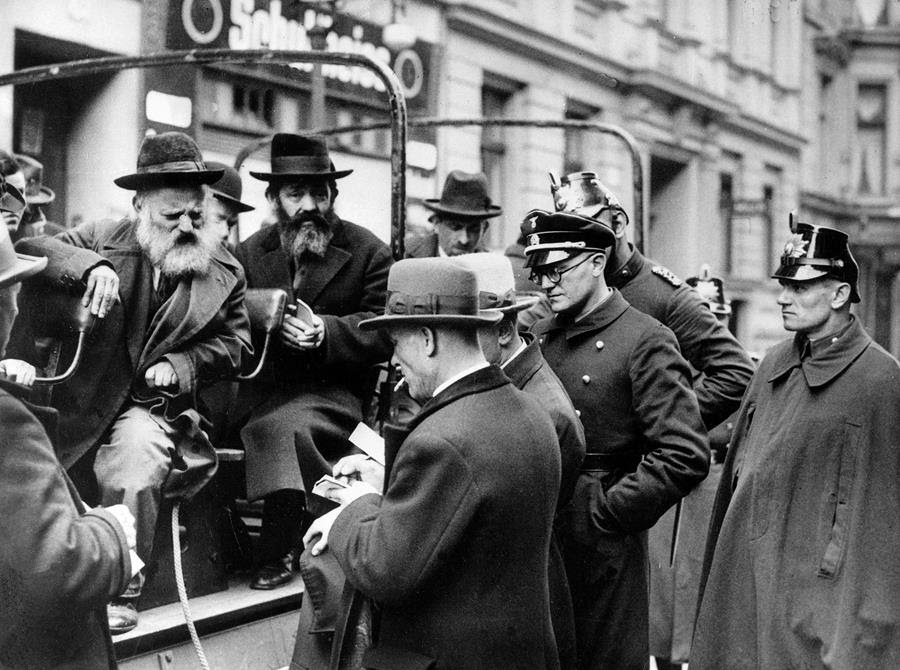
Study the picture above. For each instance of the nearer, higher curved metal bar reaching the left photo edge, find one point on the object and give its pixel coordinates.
(259, 56)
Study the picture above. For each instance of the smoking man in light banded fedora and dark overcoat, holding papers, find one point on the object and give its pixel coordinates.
(455, 550)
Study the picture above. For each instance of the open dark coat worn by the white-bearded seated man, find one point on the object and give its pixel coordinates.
(202, 330)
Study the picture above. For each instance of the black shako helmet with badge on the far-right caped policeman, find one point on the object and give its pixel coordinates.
(813, 252)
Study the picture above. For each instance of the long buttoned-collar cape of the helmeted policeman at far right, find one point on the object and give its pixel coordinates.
(801, 567)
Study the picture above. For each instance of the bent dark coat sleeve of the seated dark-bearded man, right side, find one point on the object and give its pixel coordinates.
(345, 344)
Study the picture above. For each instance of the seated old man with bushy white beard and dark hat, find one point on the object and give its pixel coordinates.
(172, 303)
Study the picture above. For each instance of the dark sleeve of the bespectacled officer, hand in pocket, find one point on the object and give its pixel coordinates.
(675, 445)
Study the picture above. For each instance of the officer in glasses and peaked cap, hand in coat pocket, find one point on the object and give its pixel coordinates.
(646, 444)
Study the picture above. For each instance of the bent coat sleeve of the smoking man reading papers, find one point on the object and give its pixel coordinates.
(390, 546)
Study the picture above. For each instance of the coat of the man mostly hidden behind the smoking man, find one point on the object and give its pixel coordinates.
(529, 372)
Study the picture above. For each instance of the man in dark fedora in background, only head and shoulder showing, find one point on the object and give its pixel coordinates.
(461, 217)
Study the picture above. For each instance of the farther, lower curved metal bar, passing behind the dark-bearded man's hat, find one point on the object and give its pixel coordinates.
(641, 231)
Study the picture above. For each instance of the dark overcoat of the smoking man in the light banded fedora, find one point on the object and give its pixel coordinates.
(455, 552)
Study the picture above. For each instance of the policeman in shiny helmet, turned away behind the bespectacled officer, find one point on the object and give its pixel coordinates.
(705, 342)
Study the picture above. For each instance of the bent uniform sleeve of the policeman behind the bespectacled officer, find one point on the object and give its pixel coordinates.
(711, 348)
